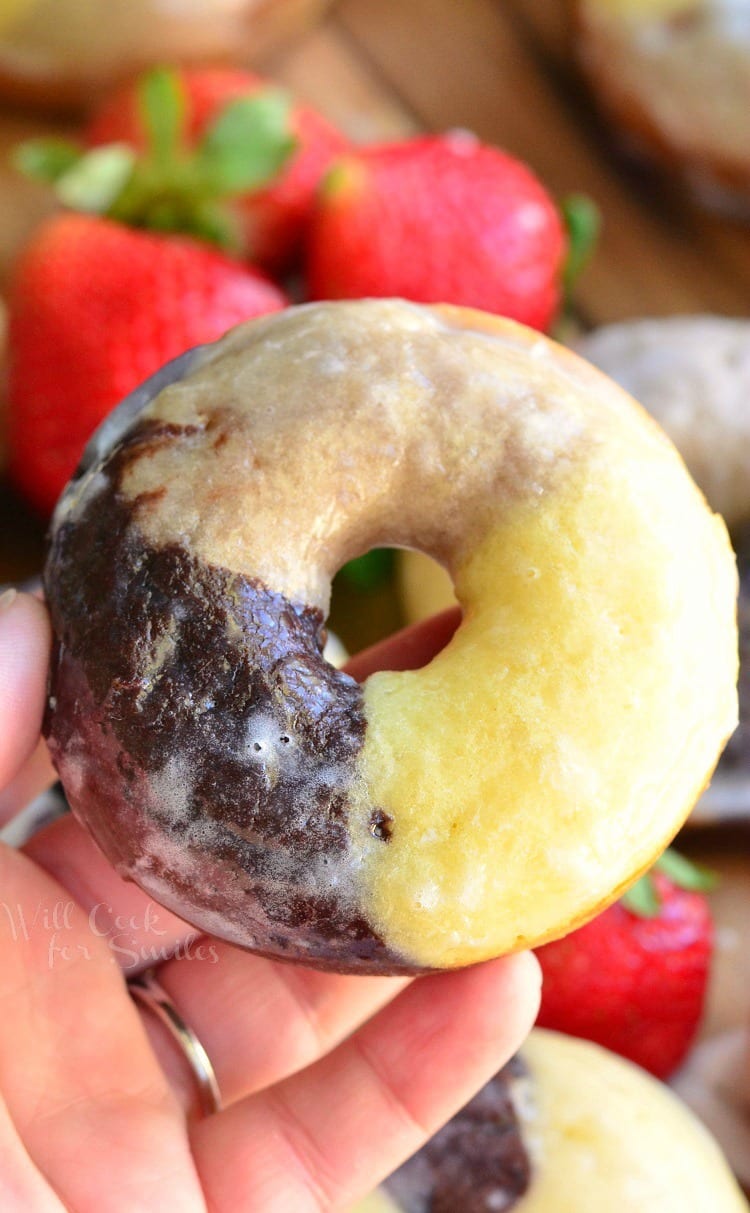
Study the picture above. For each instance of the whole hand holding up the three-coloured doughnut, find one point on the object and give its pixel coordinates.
(328, 1083)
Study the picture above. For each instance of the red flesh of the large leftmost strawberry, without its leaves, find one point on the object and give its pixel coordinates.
(95, 309)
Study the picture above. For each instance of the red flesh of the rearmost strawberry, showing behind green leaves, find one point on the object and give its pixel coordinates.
(274, 217)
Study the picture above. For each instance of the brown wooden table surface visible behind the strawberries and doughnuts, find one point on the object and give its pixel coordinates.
(384, 69)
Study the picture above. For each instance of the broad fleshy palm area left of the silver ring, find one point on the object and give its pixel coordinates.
(81, 1081)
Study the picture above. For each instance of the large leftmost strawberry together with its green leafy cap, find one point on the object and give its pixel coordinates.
(96, 306)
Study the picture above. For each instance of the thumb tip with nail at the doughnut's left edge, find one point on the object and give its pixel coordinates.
(25, 654)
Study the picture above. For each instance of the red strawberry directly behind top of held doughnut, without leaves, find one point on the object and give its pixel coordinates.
(440, 219)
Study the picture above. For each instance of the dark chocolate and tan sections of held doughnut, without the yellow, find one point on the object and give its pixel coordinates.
(198, 732)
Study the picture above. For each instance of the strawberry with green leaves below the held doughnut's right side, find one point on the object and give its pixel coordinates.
(634, 979)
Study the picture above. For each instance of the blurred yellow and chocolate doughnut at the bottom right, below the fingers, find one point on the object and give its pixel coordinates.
(567, 1127)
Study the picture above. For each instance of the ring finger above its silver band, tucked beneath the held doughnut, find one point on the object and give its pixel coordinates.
(260, 1021)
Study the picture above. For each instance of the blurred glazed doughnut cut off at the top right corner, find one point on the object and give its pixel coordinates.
(674, 76)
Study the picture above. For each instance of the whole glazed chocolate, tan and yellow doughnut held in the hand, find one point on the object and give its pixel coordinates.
(428, 819)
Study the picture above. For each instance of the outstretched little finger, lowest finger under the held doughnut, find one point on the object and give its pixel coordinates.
(331, 1134)
